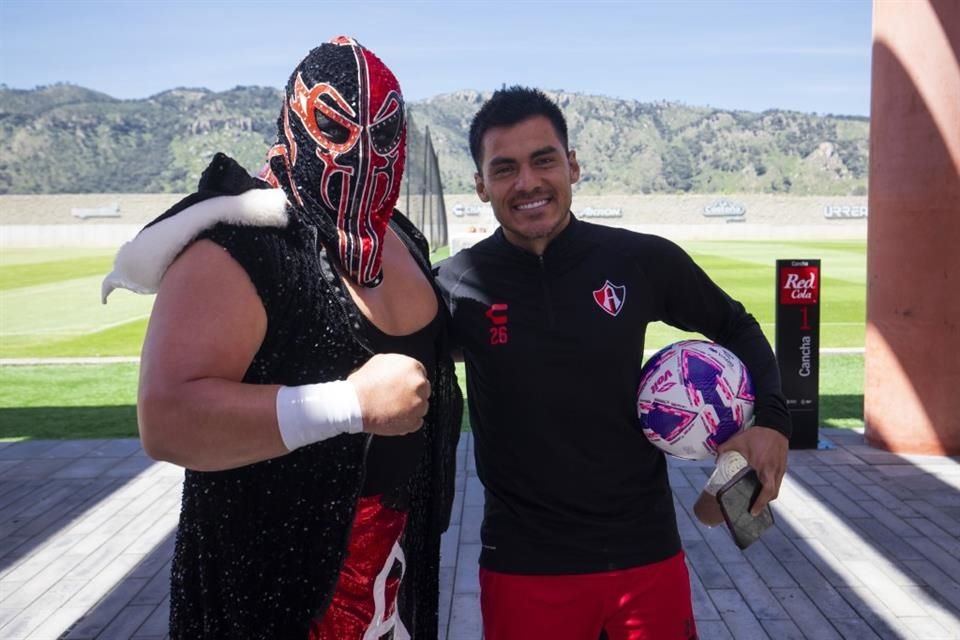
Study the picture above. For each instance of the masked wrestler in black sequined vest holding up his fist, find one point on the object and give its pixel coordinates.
(295, 364)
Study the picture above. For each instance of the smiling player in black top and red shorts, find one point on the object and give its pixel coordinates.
(579, 533)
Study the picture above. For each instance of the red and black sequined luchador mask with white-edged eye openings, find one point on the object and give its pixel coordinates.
(340, 149)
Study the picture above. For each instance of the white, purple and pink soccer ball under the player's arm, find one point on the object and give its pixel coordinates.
(693, 396)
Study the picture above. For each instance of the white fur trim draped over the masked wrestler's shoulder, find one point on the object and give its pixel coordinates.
(141, 262)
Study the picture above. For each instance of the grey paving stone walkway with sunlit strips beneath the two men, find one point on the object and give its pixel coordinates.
(866, 546)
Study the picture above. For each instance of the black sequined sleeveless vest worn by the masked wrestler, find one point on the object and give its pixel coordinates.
(259, 548)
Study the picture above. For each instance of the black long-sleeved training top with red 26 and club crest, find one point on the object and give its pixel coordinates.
(553, 347)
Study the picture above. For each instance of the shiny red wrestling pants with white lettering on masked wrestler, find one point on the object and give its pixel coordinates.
(364, 605)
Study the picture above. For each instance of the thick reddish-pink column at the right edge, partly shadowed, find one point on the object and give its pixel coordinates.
(912, 377)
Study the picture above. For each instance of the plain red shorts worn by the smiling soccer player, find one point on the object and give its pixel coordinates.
(651, 602)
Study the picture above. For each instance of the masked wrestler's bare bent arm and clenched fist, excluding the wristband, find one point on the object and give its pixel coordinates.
(206, 326)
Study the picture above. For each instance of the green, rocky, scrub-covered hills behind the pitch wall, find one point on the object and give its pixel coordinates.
(68, 139)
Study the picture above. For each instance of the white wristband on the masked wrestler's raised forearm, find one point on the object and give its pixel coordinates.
(313, 412)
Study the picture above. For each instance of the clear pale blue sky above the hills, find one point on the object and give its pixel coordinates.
(806, 55)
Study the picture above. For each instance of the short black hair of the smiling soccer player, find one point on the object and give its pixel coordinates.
(509, 106)
